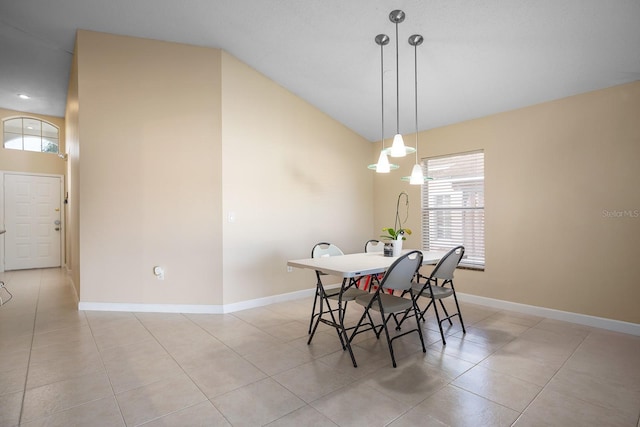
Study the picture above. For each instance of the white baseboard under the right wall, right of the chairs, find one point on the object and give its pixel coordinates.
(581, 319)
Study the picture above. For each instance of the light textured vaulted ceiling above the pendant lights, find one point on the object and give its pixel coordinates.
(478, 57)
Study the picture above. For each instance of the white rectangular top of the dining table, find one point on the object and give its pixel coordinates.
(356, 265)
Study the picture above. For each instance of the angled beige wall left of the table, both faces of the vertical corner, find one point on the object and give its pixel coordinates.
(173, 138)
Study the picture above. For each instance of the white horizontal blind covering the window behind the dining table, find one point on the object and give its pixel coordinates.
(453, 205)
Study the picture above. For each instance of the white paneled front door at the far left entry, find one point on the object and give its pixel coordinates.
(32, 220)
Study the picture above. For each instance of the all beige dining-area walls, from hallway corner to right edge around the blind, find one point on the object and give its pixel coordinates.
(175, 138)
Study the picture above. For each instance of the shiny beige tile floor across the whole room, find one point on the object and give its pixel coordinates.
(61, 367)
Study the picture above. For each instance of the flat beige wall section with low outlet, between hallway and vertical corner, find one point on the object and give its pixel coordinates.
(149, 171)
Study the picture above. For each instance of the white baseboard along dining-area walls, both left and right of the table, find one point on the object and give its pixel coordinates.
(581, 319)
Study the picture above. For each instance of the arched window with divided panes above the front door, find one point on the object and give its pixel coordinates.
(29, 134)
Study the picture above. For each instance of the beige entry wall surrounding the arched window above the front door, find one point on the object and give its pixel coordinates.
(32, 162)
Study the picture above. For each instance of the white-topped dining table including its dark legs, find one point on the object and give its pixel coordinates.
(352, 267)
